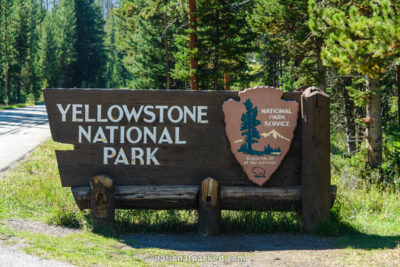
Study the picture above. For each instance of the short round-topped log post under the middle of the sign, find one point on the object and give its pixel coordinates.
(209, 208)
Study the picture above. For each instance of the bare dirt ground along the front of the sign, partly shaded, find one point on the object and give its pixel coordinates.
(251, 250)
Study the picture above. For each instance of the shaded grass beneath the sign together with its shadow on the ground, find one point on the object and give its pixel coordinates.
(242, 231)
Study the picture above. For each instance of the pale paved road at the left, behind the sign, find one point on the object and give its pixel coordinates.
(21, 131)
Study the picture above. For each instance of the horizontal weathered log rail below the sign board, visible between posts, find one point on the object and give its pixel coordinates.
(186, 197)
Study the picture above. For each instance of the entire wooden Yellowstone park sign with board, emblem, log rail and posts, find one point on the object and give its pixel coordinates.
(260, 149)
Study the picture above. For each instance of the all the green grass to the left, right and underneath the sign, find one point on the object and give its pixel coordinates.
(365, 218)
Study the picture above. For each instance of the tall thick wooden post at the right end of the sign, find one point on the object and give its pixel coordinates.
(315, 168)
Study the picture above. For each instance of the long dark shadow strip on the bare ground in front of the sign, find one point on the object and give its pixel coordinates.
(247, 242)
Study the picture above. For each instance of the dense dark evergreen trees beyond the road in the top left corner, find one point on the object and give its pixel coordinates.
(50, 44)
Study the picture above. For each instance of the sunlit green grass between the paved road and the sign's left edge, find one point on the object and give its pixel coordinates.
(33, 190)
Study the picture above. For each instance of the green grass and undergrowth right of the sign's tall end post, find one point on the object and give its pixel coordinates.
(366, 216)
